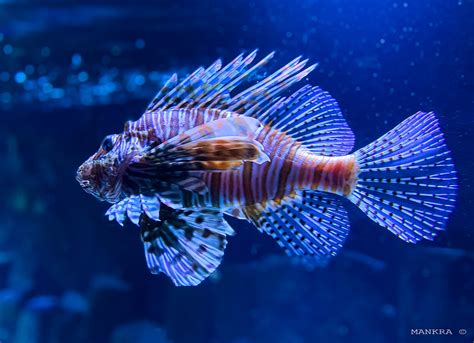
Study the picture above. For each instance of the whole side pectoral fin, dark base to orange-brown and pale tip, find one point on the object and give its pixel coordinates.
(221, 145)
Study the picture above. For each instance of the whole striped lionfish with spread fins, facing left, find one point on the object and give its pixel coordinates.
(202, 149)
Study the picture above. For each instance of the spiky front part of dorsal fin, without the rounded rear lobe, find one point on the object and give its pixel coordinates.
(212, 87)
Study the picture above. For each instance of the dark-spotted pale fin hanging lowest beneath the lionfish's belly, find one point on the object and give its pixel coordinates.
(186, 245)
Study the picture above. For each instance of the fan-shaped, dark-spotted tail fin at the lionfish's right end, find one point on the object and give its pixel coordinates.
(406, 181)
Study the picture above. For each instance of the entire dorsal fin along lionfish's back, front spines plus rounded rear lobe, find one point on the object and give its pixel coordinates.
(310, 116)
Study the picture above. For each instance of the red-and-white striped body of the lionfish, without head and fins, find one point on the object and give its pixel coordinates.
(292, 167)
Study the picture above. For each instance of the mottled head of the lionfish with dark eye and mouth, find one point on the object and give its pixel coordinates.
(101, 174)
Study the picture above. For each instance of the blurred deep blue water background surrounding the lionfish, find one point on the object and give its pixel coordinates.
(72, 72)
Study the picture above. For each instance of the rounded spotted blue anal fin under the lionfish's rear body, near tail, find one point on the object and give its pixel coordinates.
(309, 223)
